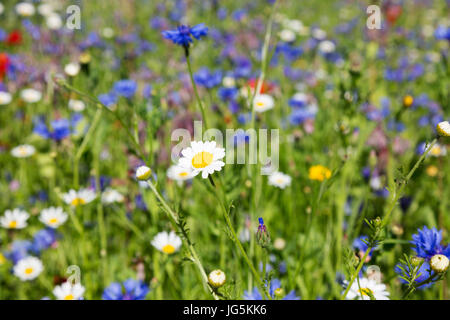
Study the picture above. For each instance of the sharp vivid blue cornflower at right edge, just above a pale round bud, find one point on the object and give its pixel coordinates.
(427, 243)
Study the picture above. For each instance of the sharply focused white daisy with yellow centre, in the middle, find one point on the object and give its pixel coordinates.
(202, 157)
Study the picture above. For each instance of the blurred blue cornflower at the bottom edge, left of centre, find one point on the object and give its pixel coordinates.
(129, 290)
